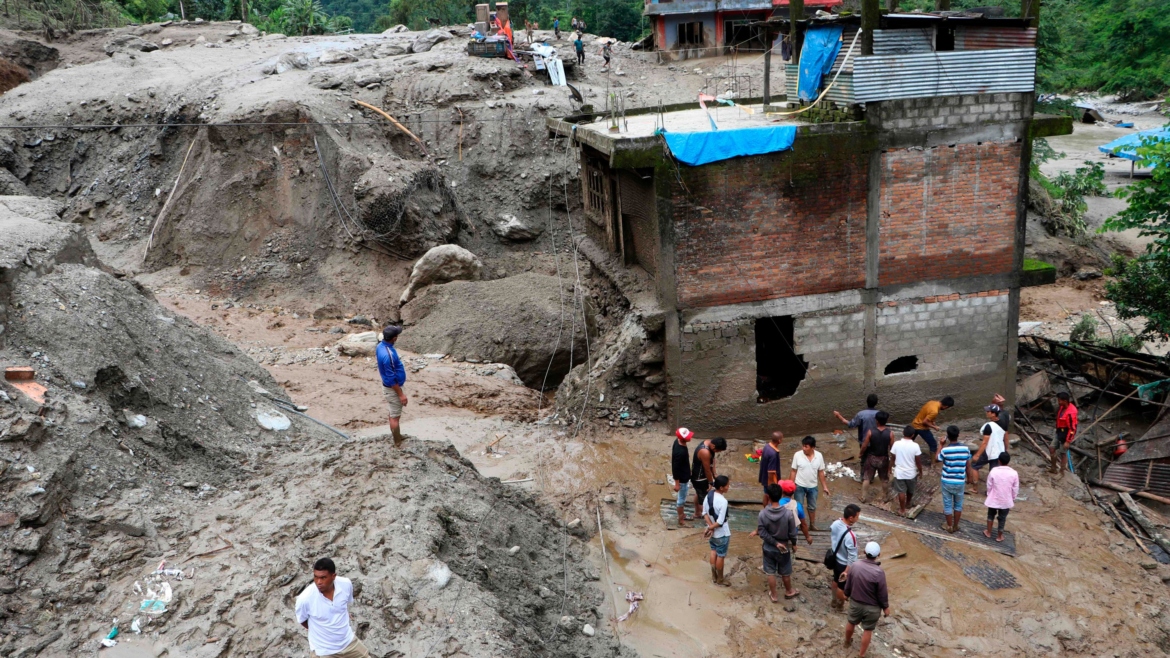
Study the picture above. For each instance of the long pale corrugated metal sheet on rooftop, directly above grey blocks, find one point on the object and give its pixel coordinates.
(884, 78)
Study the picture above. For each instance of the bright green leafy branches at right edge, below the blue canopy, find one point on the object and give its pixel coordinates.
(1141, 287)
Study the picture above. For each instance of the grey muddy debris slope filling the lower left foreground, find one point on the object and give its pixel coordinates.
(144, 442)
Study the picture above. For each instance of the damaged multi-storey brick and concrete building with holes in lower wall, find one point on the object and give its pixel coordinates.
(880, 253)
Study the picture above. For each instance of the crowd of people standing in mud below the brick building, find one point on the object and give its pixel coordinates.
(790, 505)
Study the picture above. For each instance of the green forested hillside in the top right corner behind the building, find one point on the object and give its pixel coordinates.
(1113, 46)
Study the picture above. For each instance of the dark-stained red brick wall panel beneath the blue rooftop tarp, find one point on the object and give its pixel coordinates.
(770, 227)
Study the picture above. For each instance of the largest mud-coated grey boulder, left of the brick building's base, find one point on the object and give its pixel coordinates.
(529, 323)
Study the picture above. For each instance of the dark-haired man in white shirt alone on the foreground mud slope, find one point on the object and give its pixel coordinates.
(325, 609)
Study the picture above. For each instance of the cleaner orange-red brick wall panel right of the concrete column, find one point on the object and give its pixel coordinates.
(948, 213)
